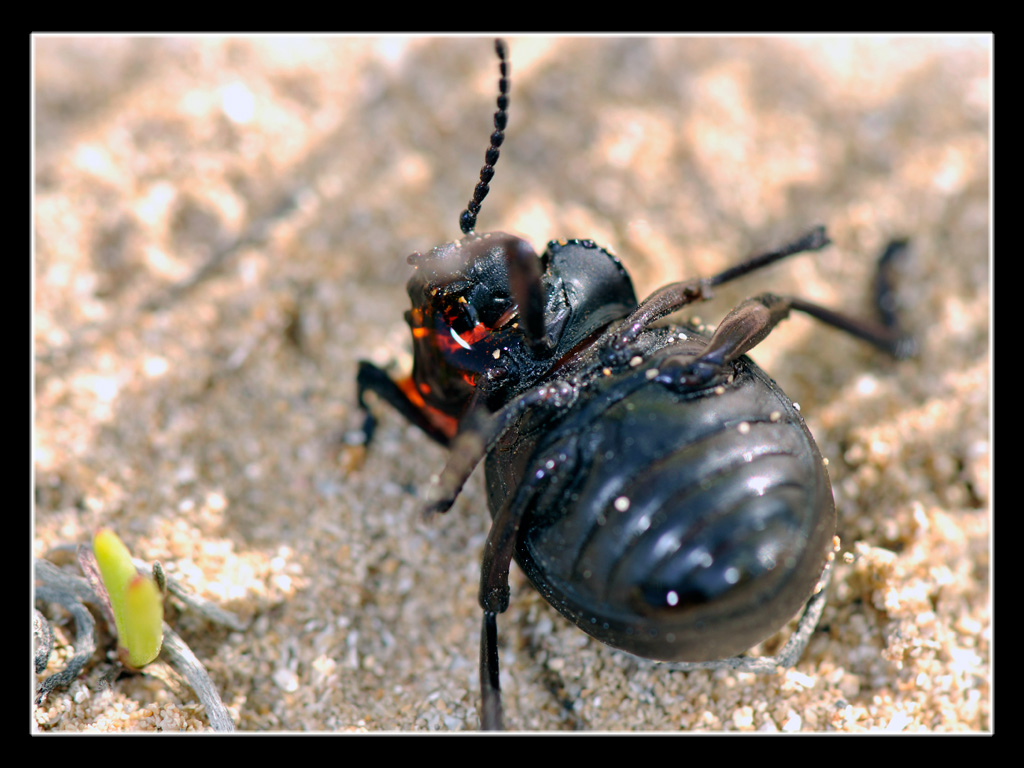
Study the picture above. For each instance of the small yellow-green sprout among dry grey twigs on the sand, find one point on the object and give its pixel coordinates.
(136, 601)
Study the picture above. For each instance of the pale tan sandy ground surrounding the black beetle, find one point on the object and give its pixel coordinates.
(221, 233)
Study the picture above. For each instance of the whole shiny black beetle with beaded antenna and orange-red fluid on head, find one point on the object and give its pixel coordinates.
(655, 485)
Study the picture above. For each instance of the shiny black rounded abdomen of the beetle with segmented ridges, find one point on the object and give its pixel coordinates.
(696, 542)
